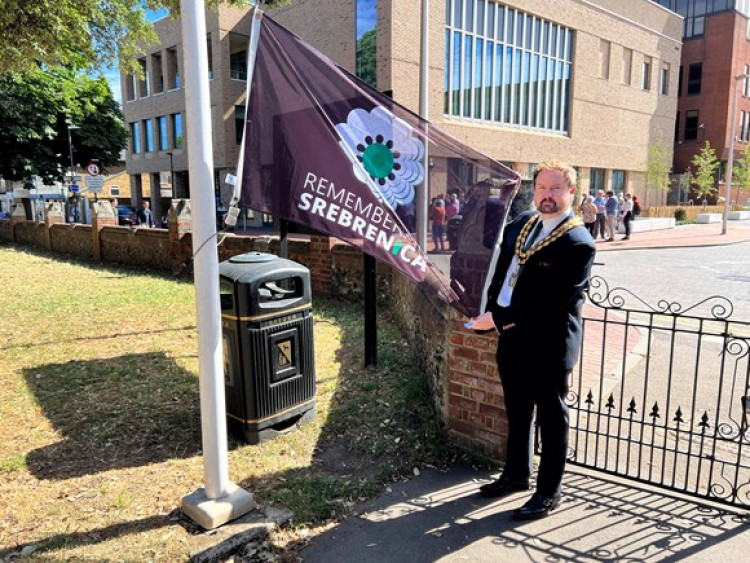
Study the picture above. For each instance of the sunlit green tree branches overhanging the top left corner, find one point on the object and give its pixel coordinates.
(80, 33)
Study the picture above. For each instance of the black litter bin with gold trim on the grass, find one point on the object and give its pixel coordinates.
(267, 329)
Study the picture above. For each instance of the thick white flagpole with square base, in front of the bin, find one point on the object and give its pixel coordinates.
(219, 501)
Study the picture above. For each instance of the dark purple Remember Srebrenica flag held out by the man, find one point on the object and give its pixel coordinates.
(325, 150)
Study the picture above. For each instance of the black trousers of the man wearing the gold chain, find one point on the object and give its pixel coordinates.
(526, 387)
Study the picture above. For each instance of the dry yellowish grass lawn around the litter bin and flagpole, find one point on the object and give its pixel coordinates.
(100, 433)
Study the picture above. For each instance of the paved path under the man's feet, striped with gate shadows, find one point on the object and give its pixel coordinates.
(439, 517)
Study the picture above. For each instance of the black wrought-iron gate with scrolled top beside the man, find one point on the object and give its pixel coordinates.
(661, 394)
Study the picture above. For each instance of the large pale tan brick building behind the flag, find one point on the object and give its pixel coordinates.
(522, 80)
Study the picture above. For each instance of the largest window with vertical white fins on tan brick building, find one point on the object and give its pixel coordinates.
(507, 77)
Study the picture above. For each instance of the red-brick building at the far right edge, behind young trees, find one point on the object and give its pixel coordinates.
(716, 49)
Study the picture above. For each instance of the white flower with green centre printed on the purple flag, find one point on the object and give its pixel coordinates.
(384, 154)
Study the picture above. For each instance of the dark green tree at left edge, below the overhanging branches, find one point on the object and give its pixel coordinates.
(35, 110)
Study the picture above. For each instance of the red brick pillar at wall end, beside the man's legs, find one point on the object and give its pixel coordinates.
(476, 411)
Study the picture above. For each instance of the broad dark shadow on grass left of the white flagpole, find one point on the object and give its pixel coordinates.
(115, 413)
